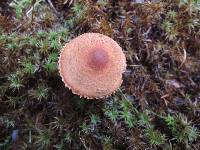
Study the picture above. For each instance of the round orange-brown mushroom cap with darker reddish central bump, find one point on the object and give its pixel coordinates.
(91, 65)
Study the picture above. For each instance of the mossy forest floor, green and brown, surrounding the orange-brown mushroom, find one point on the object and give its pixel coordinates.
(158, 105)
